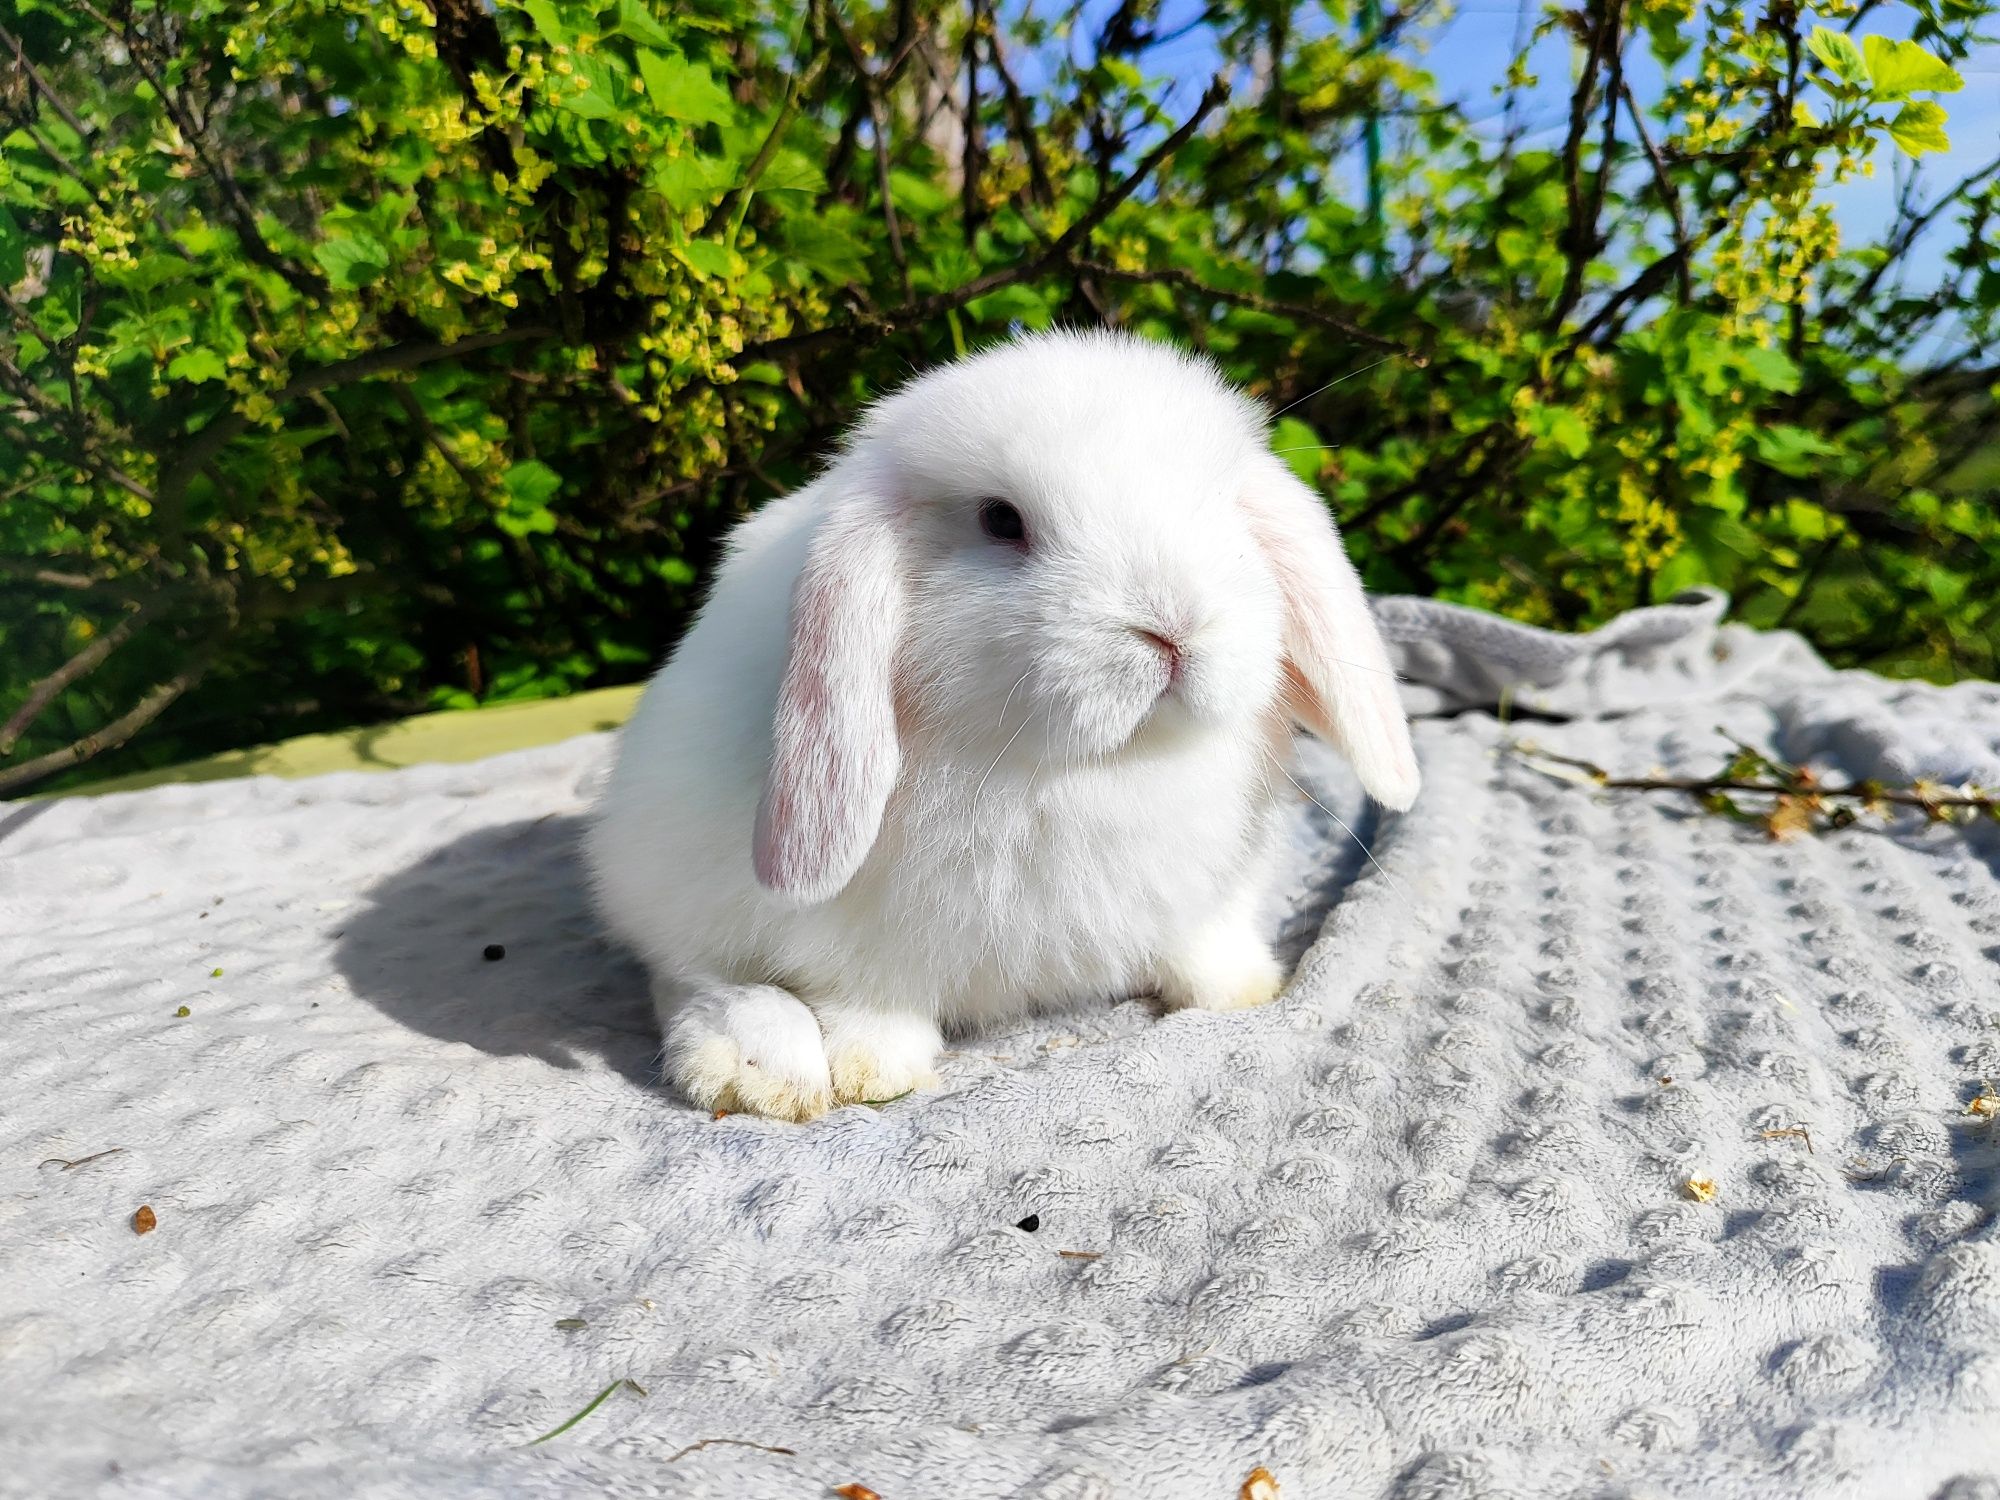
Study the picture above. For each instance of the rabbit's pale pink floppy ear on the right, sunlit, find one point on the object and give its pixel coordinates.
(1339, 681)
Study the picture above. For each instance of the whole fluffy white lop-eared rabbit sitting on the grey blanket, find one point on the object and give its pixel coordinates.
(989, 717)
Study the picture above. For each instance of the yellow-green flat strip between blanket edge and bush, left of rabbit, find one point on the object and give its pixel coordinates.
(453, 737)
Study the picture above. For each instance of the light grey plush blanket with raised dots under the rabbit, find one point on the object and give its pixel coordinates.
(1421, 1229)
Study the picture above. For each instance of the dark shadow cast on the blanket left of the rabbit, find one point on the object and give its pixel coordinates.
(561, 993)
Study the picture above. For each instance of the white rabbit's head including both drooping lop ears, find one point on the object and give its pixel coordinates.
(1069, 551)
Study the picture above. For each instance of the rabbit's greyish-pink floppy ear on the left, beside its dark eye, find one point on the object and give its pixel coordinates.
(835, 753)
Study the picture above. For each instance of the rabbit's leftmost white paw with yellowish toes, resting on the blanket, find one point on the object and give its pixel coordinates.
(749, 1049)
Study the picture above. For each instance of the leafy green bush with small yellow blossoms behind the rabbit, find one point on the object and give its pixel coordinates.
(375, 357)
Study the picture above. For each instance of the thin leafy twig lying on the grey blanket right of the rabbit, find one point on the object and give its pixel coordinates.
(1799, 801)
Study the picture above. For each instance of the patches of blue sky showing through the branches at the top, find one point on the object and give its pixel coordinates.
(1471, 53)
